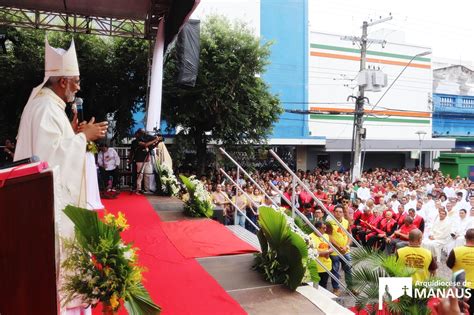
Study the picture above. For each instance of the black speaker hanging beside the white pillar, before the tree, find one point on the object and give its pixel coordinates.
(188, 49)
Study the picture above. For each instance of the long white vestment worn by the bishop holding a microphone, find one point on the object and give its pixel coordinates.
(45, 131)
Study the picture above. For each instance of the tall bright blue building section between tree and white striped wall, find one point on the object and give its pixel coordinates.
(285, 23)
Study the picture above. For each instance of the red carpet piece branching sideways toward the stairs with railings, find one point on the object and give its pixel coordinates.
(204, 238)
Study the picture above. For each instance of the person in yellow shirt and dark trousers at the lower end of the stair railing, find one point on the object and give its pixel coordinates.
(341, 242)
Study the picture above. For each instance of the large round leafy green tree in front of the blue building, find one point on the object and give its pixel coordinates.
(229, 101)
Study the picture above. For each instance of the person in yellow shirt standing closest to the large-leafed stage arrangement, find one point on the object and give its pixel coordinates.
(324, 250)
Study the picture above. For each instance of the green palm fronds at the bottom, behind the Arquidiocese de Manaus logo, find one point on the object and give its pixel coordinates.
(368, 266)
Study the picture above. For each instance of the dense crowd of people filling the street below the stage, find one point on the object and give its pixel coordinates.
(387, 210)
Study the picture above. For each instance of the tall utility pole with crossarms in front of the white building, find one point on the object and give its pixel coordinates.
(358, 132)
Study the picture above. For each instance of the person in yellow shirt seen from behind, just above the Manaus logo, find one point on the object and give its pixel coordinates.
(417, 257)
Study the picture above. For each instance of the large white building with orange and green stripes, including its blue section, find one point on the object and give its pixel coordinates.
(317, 72)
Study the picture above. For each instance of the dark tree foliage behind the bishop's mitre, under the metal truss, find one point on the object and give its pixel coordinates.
(113, 75)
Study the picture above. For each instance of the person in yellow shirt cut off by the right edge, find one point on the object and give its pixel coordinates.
(462, 257)
